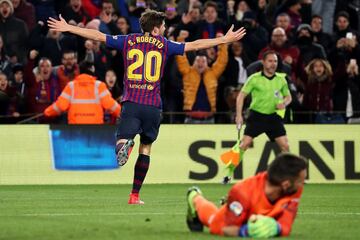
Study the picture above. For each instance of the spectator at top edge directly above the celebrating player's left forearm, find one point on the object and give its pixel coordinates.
(75, 13)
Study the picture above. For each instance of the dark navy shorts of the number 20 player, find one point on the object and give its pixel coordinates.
(139, 119)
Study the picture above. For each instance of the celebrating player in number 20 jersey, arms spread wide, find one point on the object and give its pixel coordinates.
(145, 55)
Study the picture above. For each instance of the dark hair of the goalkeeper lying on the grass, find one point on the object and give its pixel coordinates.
(286, 166)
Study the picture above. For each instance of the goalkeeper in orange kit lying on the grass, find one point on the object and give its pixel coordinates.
(262, 206)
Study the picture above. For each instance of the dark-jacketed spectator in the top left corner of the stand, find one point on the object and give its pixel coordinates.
(14, 32)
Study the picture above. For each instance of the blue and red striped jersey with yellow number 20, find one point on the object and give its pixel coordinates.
(144, 61)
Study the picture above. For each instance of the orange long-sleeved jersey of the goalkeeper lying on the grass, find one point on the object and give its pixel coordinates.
(248, 197)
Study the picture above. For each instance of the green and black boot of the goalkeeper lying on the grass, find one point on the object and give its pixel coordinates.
(192, 219)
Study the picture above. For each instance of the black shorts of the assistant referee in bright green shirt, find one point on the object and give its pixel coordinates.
(258, 123)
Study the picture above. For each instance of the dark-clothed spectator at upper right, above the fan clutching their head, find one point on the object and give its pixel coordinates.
(321, 37)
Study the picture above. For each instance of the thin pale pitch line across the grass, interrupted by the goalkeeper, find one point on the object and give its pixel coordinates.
(155, 213)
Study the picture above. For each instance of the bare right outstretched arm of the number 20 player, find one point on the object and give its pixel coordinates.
(231, 36)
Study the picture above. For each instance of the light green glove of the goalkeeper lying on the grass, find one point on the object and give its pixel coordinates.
(260, 226)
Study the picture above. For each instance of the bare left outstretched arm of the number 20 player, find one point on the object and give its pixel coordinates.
(62, 26)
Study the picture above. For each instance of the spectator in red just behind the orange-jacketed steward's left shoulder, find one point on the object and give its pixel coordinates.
(69, 68)
